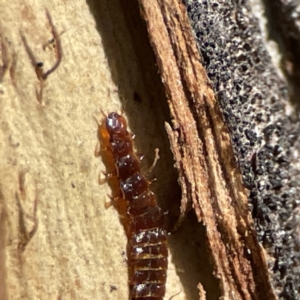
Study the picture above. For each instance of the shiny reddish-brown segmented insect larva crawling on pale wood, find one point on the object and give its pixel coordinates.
(142, 218)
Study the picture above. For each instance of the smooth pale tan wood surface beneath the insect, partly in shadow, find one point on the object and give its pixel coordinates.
(47, 151)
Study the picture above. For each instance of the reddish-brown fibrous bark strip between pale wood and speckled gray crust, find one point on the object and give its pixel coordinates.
(204, 157)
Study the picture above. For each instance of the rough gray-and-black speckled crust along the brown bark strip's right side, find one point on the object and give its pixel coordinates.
(253, 100)
